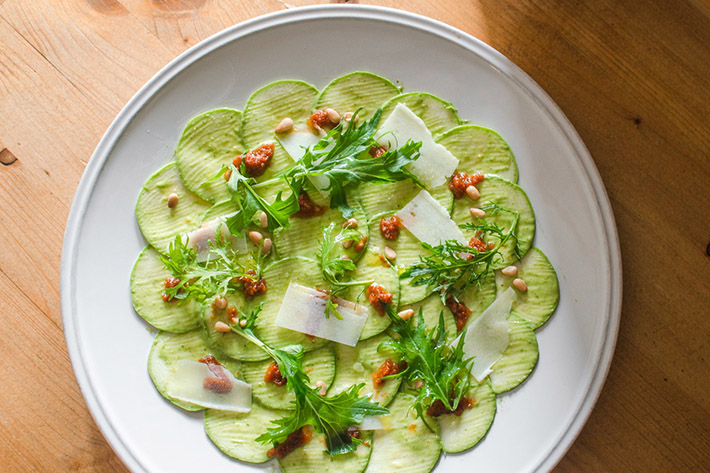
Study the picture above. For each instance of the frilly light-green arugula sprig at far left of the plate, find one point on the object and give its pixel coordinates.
(203, 280)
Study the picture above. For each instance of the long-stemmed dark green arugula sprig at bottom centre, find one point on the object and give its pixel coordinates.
(330, 416)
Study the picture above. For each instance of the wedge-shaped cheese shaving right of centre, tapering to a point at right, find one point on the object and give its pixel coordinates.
(429, 221)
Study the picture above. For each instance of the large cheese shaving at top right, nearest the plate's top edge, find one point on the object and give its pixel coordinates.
(435, 163)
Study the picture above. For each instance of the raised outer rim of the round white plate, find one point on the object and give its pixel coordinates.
(604, 351)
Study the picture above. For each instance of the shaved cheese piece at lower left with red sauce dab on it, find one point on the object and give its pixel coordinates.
(187, 383)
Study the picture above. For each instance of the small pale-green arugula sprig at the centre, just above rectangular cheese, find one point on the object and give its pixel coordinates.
(335, 269)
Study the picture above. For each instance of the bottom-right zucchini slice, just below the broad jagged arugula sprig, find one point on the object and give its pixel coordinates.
(459, 433)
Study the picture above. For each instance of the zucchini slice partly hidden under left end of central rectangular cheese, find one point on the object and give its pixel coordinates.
(278, 275)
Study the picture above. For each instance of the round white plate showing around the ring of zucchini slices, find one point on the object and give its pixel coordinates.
(109, 344)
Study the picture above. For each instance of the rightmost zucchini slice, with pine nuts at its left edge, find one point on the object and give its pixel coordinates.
(537, 304)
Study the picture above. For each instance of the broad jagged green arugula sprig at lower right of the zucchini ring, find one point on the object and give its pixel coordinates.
(431, 360)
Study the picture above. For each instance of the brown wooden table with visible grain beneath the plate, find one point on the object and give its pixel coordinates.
(633, 77)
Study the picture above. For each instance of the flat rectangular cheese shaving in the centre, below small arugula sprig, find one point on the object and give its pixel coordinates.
(303, 310)
